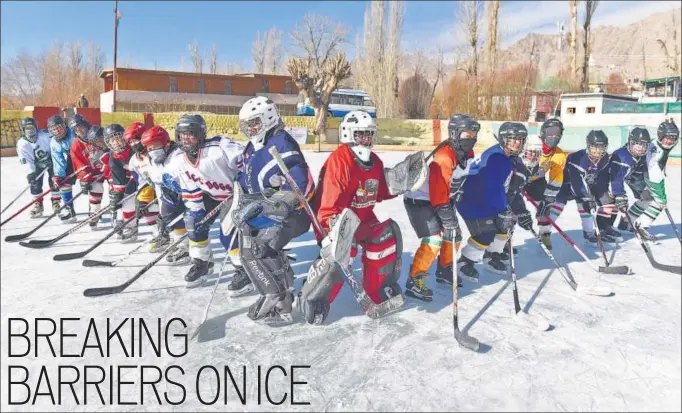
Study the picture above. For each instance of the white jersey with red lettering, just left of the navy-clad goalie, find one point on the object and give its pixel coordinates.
(213, 174)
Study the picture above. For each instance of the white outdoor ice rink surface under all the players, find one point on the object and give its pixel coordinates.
(617, 353)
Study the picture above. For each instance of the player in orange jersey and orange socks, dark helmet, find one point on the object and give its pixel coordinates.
(431, 213)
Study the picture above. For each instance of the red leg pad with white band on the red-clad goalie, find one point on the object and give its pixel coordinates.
(381, 259)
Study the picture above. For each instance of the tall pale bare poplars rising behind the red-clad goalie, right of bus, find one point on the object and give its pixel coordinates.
(379, 55)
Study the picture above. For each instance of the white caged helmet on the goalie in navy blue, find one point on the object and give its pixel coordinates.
(257, 117)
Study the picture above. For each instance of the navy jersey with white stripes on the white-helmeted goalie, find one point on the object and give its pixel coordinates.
(261, 170)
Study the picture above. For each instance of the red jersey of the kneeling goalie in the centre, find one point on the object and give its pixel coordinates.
(345, 183)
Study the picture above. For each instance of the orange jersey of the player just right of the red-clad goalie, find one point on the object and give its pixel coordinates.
(436, 188)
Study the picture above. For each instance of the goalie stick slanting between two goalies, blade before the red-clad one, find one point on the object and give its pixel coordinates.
(368, 306)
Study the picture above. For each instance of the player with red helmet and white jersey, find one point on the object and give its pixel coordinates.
(150, 167)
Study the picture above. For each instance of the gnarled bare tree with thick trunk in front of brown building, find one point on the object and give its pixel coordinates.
(321, 66)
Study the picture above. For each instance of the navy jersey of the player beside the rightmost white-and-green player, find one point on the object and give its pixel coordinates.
(625, 168)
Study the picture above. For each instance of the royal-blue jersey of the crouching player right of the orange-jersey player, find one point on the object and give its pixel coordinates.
(484, 193)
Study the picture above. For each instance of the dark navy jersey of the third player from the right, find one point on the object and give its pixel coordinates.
(579, 166)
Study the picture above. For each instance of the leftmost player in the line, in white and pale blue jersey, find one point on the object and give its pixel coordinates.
(33, 149)
